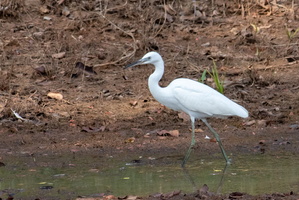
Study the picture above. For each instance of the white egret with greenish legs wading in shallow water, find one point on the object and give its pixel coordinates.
(198, 100)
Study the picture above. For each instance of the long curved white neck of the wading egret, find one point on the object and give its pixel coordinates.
(153, 80)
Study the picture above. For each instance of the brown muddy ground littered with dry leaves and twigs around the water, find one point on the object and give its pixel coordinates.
(110, 110)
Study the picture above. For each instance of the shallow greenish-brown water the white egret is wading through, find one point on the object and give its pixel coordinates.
(258, 174)
